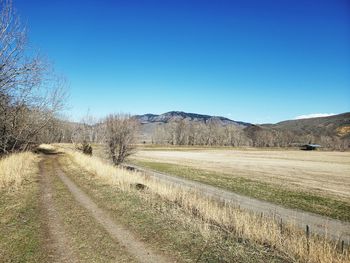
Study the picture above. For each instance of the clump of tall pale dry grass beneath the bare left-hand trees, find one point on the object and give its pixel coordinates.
(15, 169)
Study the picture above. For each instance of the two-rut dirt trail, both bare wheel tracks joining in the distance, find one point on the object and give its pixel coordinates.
(58, 238)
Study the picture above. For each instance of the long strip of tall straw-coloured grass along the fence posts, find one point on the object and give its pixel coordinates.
(241, 224)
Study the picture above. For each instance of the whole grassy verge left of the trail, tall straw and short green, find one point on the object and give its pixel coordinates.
(20, 235)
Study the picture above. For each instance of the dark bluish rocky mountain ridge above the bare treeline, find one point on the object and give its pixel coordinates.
(180, 115)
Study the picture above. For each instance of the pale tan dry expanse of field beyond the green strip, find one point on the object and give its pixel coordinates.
(322, 172)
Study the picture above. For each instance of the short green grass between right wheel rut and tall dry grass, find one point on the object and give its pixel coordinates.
(165, 226)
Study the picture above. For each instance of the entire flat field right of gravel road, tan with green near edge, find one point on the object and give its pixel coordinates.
(318, 182)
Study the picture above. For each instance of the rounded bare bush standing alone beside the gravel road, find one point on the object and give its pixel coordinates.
(121, 131)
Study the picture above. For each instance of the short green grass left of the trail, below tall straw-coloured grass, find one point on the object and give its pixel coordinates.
(20, 228)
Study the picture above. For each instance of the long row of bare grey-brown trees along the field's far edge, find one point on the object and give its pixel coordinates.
(213, 133)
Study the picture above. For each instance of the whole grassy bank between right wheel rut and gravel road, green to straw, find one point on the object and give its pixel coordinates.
(207, 219)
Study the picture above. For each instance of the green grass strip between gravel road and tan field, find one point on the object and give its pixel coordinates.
(306, 201)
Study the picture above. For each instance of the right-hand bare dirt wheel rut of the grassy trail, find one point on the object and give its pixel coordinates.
(118, 232)
